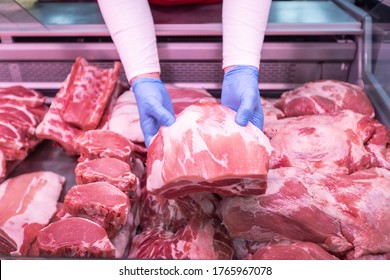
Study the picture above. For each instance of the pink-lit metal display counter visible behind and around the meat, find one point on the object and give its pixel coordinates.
(304, 41)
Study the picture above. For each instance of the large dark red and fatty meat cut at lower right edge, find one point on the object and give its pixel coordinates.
(345, 214)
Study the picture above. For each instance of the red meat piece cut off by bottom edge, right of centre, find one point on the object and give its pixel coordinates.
(291, 251)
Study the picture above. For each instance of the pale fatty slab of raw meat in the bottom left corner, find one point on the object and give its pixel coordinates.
(27, 203)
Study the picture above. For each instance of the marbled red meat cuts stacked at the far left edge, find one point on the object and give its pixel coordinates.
(21, 110)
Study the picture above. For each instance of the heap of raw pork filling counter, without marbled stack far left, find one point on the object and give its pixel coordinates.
(314, 185)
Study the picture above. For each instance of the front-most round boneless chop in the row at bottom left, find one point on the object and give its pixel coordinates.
(74, 237)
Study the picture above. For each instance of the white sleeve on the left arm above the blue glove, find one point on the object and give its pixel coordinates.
(131, 27)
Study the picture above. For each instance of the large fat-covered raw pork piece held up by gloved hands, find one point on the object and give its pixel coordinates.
(206, 150)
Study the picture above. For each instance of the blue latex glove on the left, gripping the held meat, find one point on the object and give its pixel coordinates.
(154, 106)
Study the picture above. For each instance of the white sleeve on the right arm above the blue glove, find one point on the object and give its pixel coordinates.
(244, 23)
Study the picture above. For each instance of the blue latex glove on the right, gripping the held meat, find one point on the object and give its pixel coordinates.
(240, 92)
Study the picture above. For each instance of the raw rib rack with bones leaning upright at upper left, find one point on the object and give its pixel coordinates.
(55, 127)
